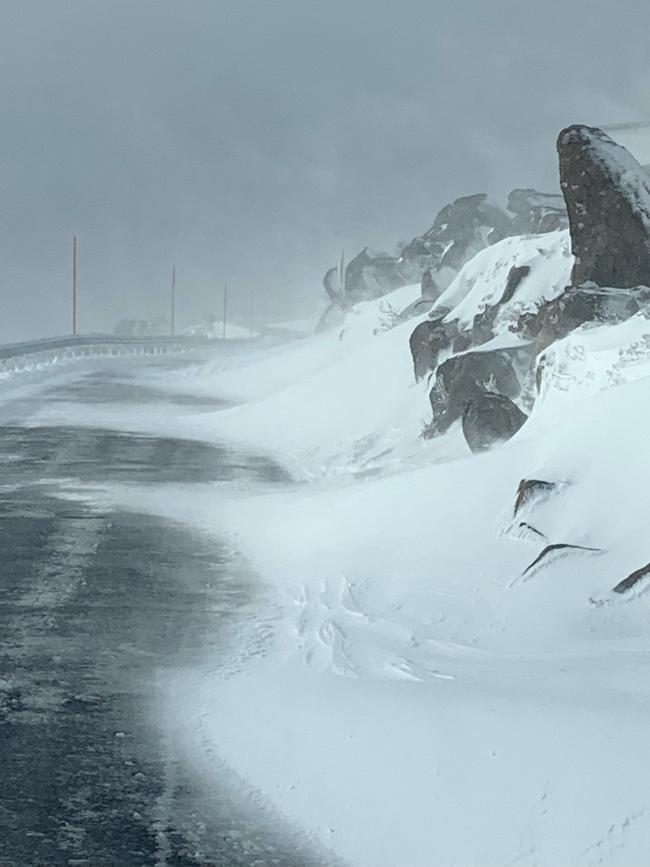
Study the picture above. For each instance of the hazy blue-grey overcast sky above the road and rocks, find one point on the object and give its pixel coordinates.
(249, 141)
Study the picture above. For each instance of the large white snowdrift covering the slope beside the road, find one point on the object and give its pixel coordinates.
(425, 698)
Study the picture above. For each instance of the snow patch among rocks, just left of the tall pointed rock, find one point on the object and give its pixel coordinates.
(482, 281)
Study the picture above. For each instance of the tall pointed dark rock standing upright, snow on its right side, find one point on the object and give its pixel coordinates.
(607, 194)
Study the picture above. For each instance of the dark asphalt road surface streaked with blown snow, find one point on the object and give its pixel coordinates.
(97, 607)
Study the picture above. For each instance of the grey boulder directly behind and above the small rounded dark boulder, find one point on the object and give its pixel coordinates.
(464, 377)
